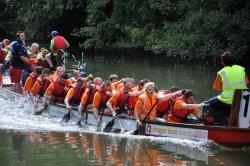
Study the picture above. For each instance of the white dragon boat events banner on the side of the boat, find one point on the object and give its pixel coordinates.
(179, 132)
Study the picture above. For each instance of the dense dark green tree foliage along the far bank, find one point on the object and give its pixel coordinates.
(173, 27)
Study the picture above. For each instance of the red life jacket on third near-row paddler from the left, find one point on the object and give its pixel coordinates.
(59, 91)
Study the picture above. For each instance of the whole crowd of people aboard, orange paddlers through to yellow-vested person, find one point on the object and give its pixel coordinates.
(40, 73)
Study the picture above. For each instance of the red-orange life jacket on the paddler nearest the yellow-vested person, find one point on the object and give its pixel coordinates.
(178, 115)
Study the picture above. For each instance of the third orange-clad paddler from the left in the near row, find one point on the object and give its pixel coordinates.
(56, 91)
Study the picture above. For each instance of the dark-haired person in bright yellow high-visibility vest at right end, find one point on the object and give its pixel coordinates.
(228, 79)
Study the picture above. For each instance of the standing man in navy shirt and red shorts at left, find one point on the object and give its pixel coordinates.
(19, 61)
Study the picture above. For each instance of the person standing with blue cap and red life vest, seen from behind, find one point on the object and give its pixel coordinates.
(58, 45)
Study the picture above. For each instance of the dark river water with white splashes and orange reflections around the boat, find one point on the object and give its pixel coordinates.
(26, 139)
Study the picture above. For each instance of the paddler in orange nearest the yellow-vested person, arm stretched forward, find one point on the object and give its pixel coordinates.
(183, 107)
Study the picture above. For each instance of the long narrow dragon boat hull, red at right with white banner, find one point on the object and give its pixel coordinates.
(227, 136)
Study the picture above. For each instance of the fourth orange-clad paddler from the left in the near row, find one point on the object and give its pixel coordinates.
(75, 93)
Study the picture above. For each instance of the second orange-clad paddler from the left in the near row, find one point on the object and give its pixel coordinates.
(41, 84)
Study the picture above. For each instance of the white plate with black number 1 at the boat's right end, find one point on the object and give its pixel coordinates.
(244, 112)
